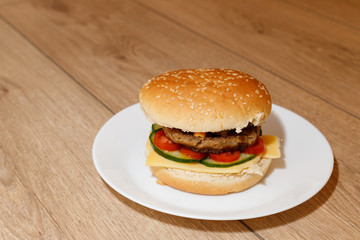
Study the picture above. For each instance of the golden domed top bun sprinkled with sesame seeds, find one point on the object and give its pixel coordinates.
(205, 100)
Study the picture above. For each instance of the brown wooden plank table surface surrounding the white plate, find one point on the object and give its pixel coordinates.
(67, 66)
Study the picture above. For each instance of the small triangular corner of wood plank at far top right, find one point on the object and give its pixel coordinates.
(344, 11)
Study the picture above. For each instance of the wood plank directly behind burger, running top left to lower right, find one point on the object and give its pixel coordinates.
(145, 46)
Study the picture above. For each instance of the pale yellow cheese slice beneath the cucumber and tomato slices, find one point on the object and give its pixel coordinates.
(271, 151)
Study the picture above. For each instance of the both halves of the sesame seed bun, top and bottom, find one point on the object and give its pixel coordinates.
(207, 100)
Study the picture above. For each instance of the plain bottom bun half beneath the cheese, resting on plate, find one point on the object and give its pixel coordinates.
(209, 183)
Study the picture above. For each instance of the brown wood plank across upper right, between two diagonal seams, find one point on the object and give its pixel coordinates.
(313, 52)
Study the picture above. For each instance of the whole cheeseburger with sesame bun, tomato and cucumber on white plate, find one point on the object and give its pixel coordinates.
(206, 135)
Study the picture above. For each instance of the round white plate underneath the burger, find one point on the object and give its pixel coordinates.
(305, 167)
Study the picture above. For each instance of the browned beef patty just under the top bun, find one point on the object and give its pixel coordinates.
(216, 142)
